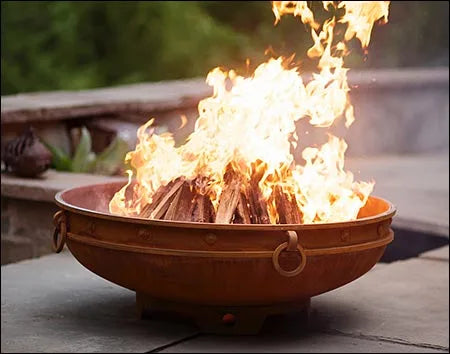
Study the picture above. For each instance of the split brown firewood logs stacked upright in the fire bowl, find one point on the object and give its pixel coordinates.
(240, 202)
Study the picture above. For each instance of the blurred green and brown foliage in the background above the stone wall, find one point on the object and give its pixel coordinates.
(76, 45)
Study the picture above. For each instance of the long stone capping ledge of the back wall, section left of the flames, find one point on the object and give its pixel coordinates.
(137, 98)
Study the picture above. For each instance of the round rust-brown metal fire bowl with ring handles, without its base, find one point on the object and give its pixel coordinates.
(218, 265)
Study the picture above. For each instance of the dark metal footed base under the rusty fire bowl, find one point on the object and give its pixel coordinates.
(228, 320)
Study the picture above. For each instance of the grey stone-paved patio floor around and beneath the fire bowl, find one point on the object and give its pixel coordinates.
(53, 304)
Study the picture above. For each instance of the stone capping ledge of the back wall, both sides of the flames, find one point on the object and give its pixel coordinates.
(169, 95)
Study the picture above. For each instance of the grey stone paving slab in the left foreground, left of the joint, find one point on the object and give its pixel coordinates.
(53, 304)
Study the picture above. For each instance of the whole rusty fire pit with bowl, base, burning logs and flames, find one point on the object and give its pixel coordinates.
(229, 227)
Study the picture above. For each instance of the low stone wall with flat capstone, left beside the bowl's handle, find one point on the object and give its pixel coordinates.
(27, 209)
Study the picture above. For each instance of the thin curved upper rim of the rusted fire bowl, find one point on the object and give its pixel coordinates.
(59, 200)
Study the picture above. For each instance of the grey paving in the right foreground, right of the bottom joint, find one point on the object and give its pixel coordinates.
(397, 307)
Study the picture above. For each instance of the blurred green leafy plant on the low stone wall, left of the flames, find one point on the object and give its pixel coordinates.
(108, 162)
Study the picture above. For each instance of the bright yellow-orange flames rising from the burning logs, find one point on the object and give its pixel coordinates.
(250, 129)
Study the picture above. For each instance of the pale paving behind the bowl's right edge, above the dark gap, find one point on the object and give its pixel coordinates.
(418, 185)
